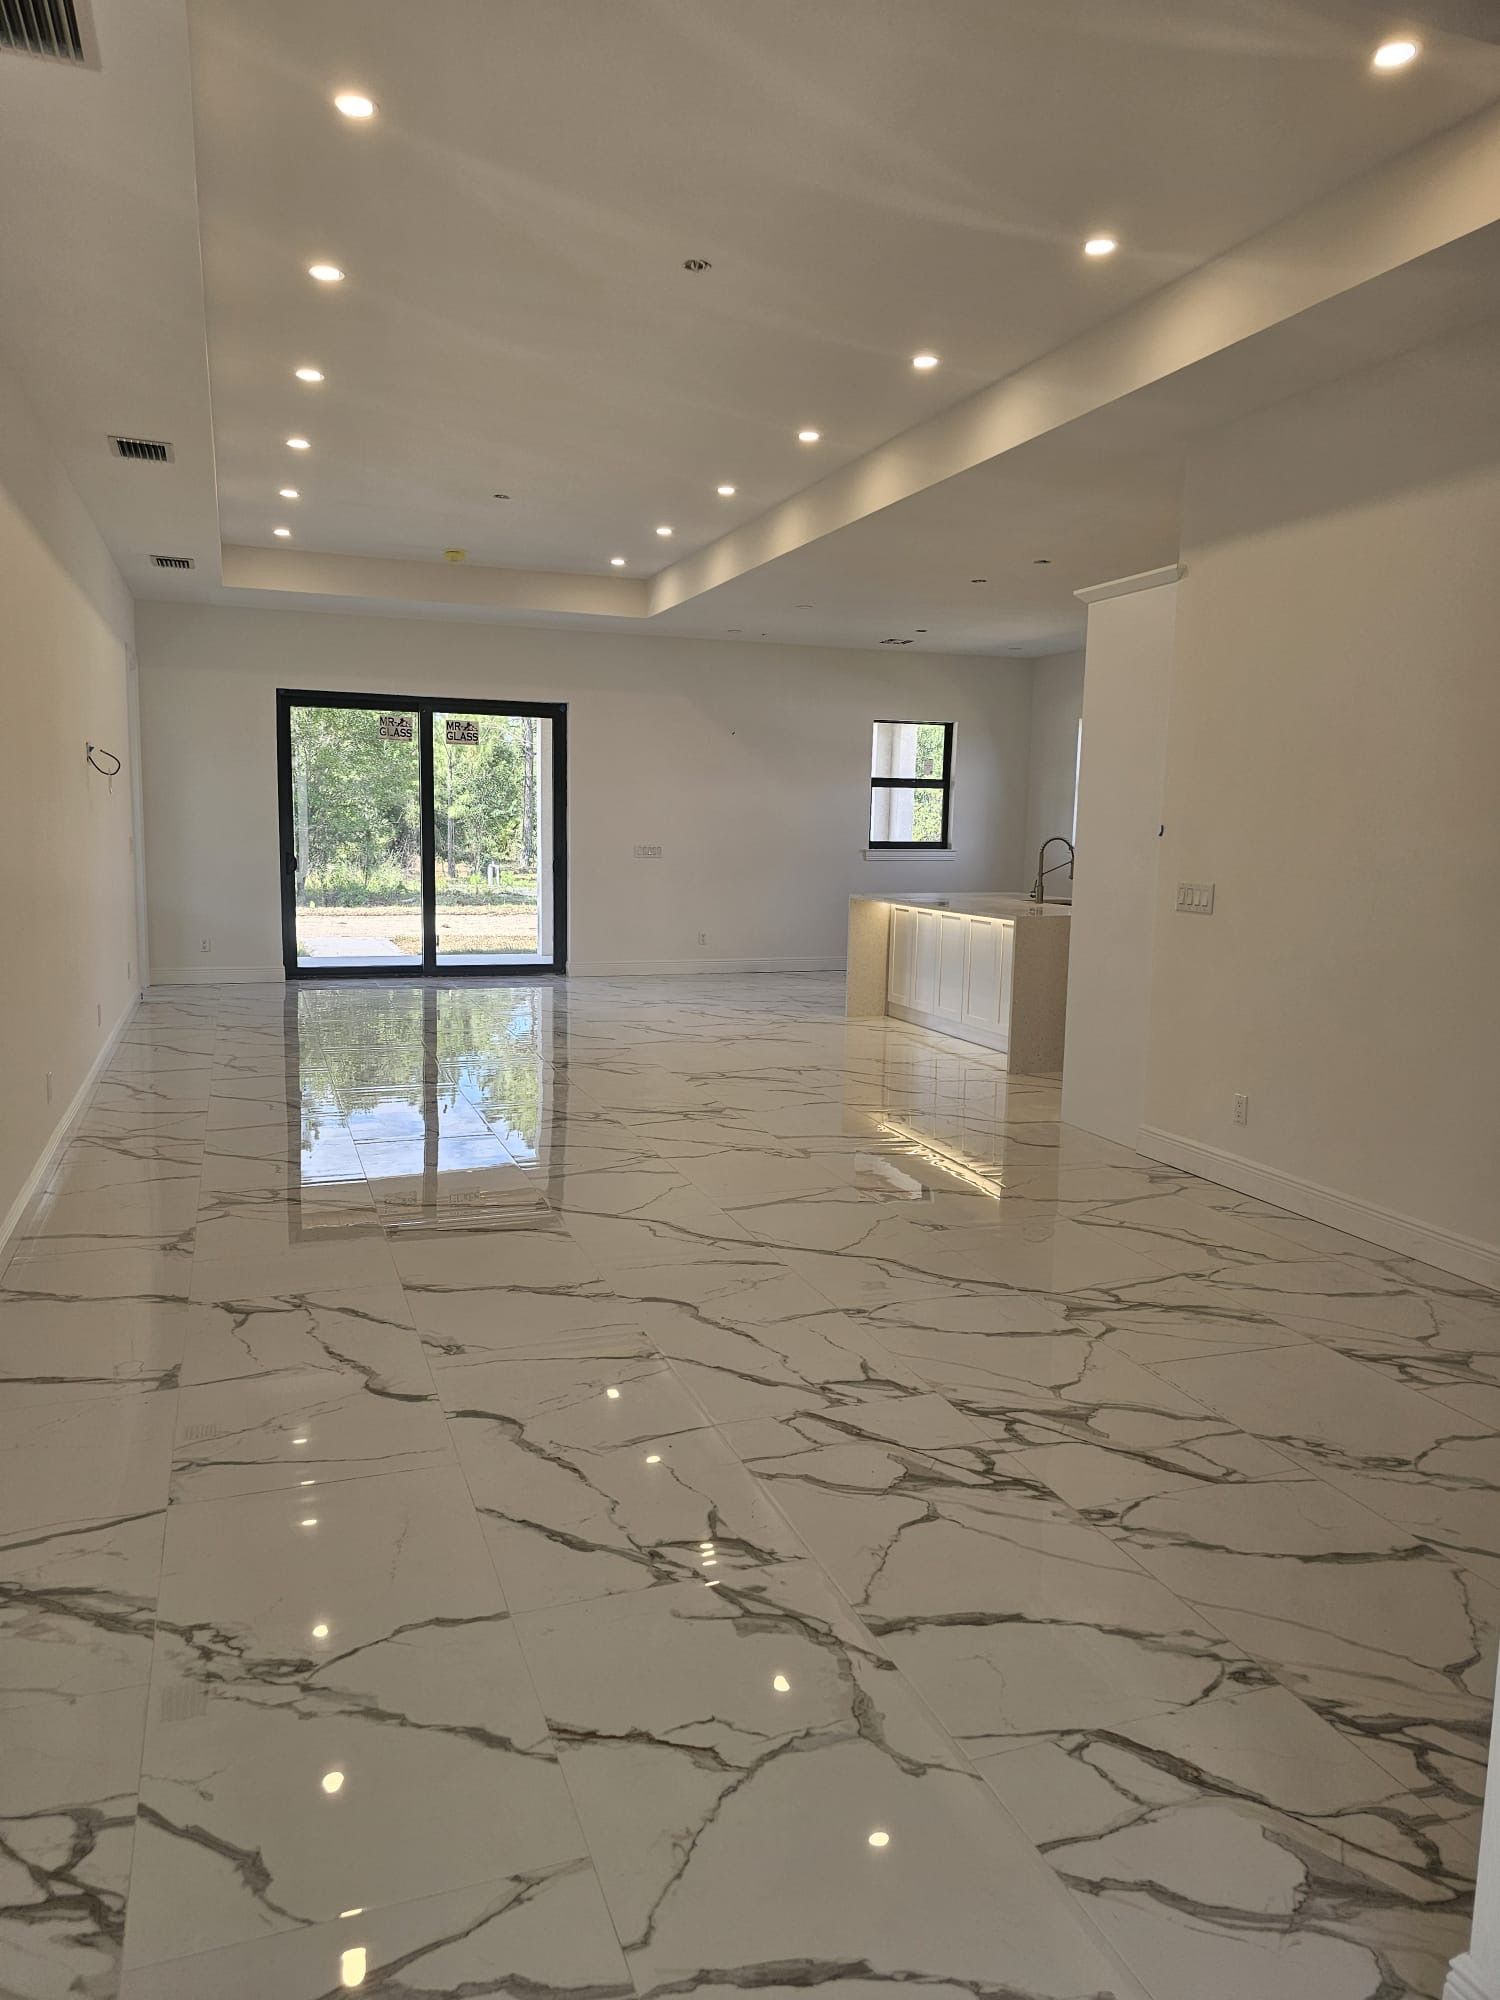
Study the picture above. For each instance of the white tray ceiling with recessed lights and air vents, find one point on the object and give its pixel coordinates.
(867, 179)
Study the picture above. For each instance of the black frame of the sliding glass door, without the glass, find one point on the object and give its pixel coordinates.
(425, 707)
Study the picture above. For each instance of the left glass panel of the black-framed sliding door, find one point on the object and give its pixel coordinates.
(357, 837)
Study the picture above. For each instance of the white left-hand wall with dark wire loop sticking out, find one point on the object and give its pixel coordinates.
(67, 865)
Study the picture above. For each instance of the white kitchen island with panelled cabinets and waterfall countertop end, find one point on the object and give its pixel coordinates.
(983, 969)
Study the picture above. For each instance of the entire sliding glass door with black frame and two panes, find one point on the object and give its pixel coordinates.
(421, 835)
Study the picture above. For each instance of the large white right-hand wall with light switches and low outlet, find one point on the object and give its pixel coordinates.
(1333, 769)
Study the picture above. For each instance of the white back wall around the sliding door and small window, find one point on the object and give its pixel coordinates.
(749, 765)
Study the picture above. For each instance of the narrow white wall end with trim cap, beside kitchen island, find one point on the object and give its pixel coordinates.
(1127, 685)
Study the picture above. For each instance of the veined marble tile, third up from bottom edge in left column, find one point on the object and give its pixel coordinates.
(301, 1391)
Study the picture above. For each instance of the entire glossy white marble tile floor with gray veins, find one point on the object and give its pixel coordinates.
(645, 1487)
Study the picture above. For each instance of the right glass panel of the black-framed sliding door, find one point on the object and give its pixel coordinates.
(491, 837)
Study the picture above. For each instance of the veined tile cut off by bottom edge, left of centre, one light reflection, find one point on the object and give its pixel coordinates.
(539, 1933)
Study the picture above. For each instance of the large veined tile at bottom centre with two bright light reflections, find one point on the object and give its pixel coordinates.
(771, 1809)
